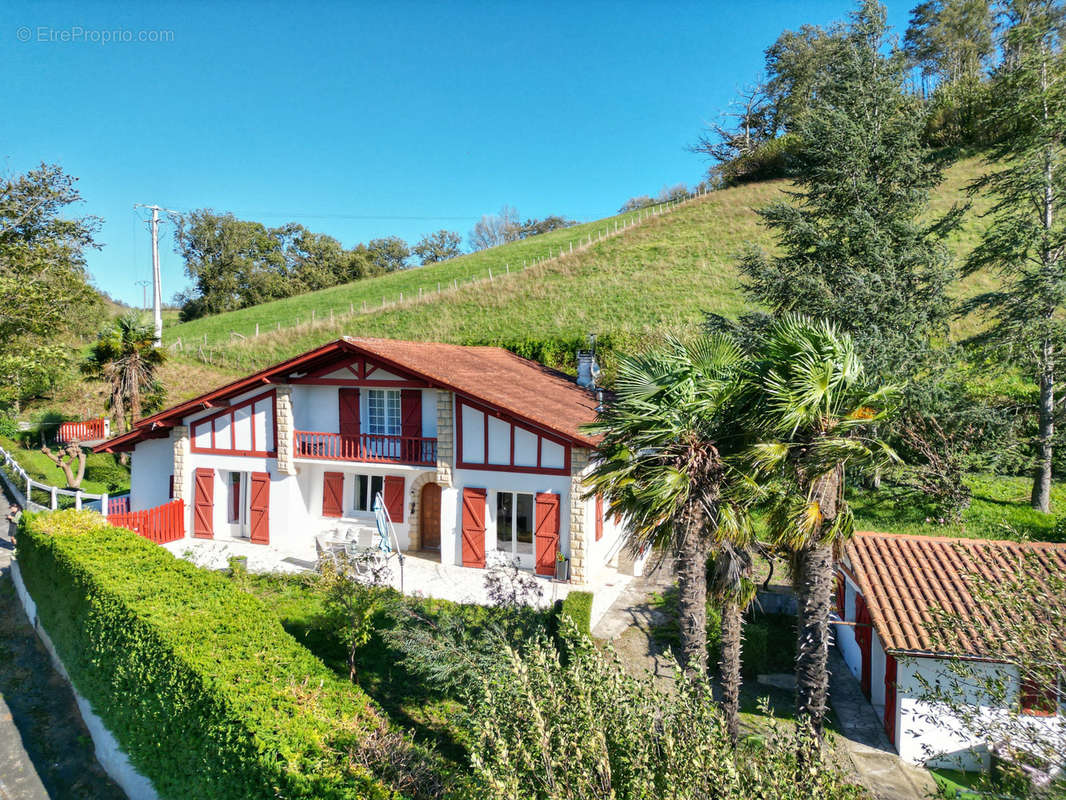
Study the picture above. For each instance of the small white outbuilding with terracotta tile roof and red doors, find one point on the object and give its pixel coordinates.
(890, 589)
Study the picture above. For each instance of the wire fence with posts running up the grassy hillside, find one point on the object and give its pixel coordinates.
(224, 355)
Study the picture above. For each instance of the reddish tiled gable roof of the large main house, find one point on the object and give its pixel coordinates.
(496, 377)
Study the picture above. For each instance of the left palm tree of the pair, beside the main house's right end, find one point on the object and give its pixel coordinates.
(661, 462)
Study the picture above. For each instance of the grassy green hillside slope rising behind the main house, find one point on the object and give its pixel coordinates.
(660, 276)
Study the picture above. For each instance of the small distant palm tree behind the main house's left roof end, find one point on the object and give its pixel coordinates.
(125, 358)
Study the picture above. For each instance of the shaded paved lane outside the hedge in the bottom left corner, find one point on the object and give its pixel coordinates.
(45, 751)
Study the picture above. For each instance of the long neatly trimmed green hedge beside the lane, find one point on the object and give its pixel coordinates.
(206, 693)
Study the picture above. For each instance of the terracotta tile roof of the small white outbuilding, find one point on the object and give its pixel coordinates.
(906, 580)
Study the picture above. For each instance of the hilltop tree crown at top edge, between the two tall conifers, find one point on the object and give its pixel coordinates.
(951, 41)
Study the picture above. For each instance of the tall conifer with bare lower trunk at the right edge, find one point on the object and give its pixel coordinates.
(1025, 244)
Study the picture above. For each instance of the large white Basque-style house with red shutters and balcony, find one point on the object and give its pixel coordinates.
(476, 452)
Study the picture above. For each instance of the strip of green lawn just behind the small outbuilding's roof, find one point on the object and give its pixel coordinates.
(999, 510)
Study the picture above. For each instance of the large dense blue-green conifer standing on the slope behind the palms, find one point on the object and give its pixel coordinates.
(855, 247)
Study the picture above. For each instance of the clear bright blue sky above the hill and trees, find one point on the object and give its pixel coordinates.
(361, 120)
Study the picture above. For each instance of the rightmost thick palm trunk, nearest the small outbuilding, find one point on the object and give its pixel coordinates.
(813, 634)
